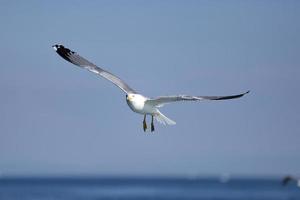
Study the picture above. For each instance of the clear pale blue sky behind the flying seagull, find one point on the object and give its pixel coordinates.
(59, 119)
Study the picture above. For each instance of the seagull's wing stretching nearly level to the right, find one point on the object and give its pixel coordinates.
(159, 101)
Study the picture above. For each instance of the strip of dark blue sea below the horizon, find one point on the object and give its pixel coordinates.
(145, 188)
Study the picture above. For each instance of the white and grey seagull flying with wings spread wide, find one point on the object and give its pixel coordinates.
(137, 102)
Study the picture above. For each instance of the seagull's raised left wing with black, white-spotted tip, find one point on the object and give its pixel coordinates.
(76, 59)
